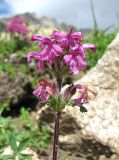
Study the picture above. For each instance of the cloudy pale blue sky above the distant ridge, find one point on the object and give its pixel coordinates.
(73, 12)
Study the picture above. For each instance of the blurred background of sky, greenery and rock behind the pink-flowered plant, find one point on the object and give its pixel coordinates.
(26, 126)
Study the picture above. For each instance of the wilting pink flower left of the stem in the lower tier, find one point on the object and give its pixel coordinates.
(44, 90)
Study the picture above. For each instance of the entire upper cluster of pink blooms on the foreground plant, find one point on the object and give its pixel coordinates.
(52, 48)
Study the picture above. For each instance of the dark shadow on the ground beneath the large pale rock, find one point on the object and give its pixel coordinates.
(88, 149)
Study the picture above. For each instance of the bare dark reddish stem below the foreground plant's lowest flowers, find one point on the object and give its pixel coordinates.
(56, 135)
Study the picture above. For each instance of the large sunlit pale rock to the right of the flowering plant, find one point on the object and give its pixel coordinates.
(102, 120)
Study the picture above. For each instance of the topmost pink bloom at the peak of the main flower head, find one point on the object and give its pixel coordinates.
(68, 39)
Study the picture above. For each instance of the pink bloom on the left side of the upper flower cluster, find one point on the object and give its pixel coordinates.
(49, 50)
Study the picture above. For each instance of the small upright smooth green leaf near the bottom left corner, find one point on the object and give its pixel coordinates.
(12, 143)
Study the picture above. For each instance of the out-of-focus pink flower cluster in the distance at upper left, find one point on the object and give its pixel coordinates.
(16, 26)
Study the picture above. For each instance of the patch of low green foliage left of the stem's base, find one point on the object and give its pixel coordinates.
(22, 133)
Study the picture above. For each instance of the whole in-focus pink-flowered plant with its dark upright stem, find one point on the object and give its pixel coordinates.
(62, 55)
